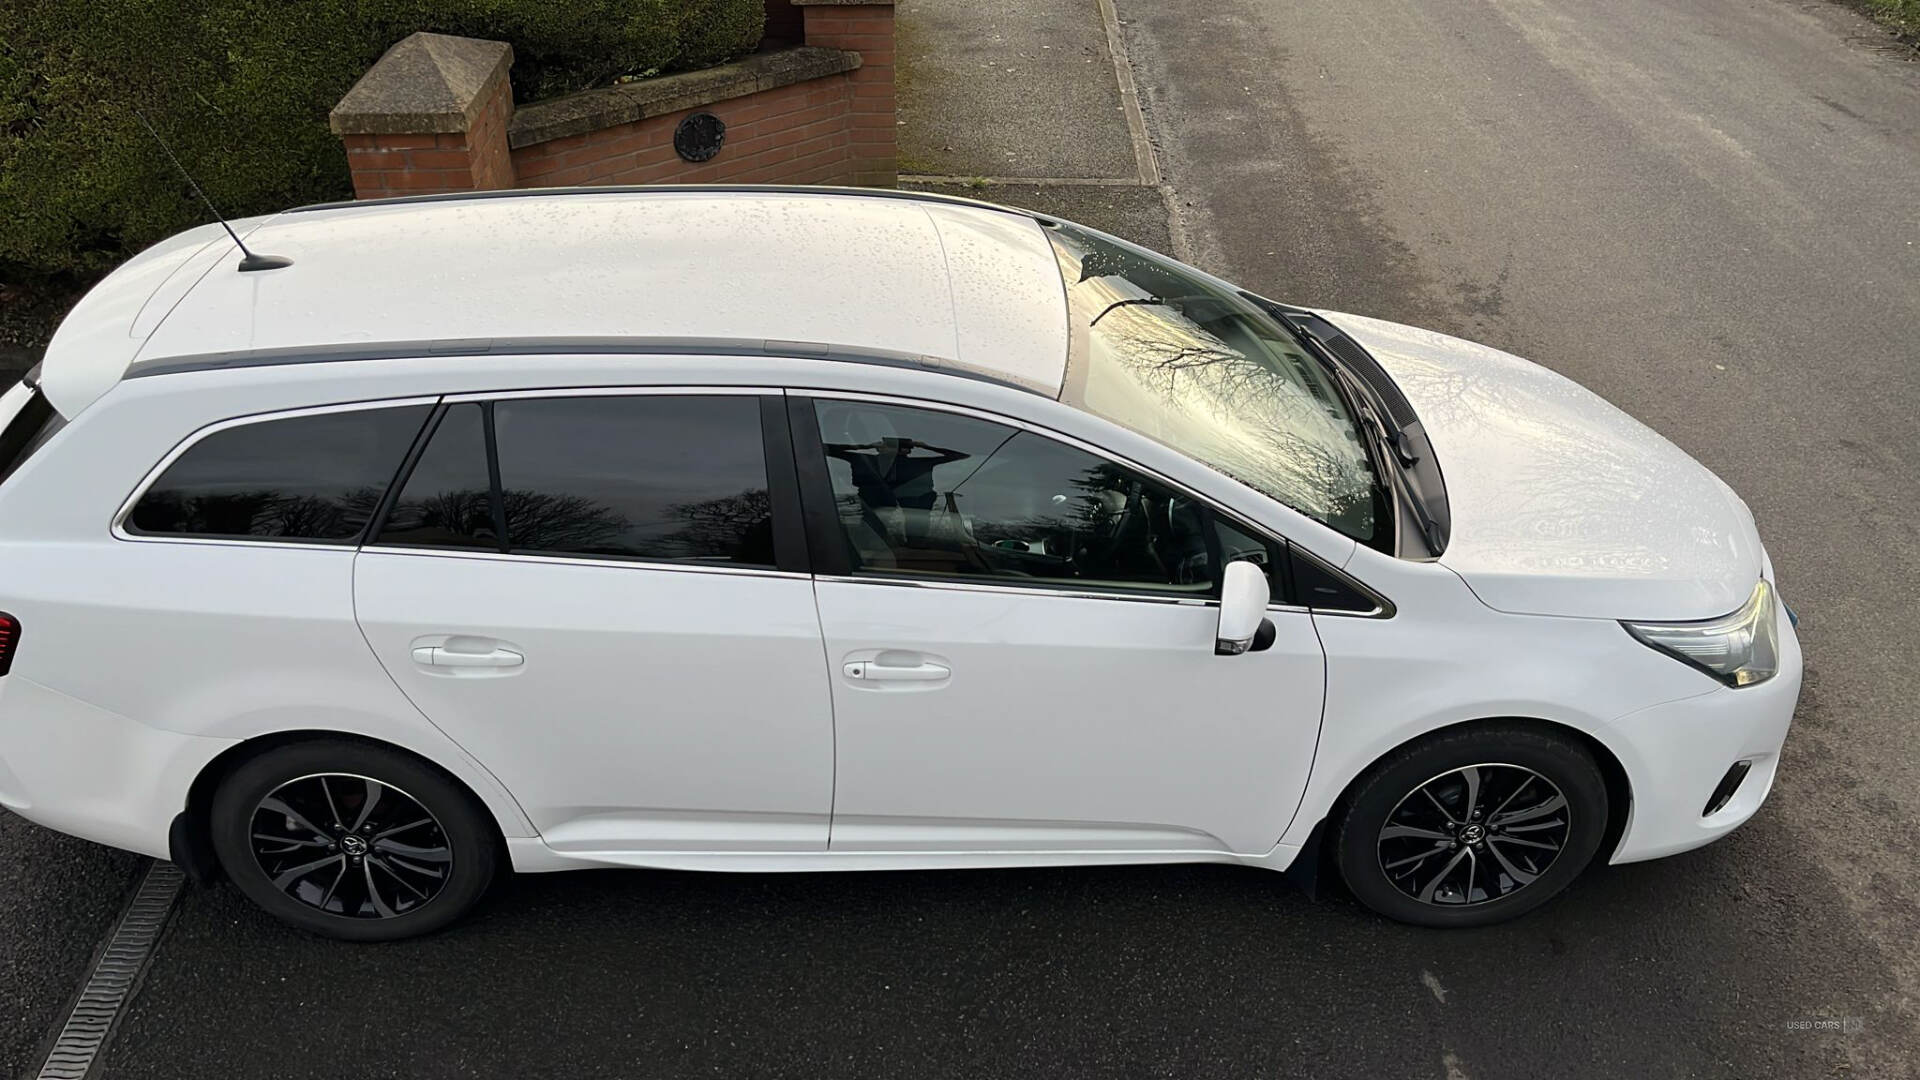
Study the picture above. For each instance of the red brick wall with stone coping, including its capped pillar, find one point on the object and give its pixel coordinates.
(437, 116)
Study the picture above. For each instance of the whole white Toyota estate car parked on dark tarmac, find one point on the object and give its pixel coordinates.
(756, 529)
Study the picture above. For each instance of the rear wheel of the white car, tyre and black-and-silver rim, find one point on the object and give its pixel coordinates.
(352, 841)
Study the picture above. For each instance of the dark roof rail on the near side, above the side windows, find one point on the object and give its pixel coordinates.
(567, 347)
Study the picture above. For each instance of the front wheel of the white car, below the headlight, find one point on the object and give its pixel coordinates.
(1437, 871)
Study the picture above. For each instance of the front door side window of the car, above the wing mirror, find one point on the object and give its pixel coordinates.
(938, 495)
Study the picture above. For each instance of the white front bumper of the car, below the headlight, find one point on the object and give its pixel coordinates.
(1675, 756)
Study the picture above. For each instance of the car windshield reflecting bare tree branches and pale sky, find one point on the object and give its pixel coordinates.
(1201, 370)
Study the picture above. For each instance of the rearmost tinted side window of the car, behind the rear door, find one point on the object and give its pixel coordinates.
(308, 479)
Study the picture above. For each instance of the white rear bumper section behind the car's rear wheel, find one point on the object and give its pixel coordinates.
(93, 773)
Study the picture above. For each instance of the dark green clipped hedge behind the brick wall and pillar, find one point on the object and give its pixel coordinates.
(243, 87)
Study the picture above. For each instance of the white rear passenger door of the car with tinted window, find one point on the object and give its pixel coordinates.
(604, 599)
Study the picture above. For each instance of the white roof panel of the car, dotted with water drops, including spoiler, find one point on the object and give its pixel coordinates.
(830, 272)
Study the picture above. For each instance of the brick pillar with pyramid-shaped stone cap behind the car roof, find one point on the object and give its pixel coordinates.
(431, 116)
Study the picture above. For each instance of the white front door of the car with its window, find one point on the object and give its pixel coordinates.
(1022, 654)
